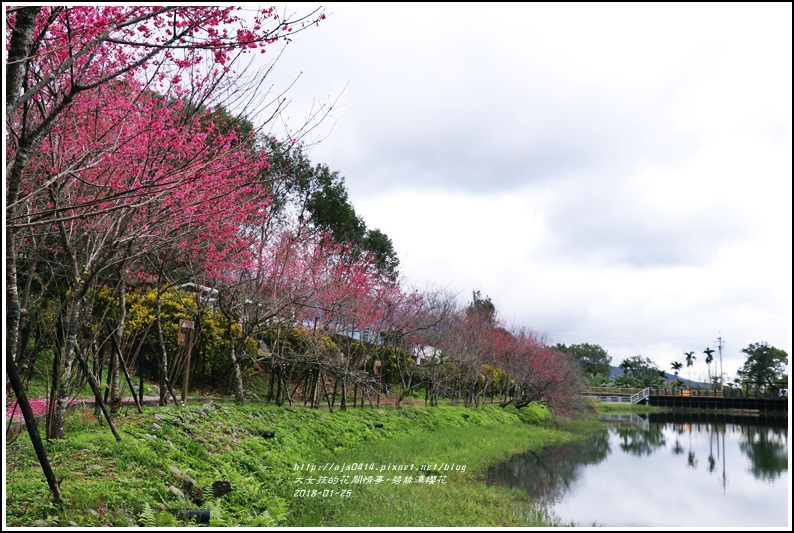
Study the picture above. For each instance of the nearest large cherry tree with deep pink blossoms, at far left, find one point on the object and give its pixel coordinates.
(98, 141)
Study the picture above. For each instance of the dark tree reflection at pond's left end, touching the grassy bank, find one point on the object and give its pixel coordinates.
(551, 472)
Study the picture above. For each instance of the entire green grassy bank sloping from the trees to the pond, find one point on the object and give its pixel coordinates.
(135, 481)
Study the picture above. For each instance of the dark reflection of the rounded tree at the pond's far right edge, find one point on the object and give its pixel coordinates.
(767, 449)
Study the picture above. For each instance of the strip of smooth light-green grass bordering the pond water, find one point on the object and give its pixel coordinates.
(462, 500)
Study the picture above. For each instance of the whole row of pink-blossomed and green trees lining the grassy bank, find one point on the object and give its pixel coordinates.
(148, 225)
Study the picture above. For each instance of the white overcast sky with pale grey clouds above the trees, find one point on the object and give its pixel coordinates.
(606, 173)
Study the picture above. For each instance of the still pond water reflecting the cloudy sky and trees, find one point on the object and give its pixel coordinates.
(664, 470)
